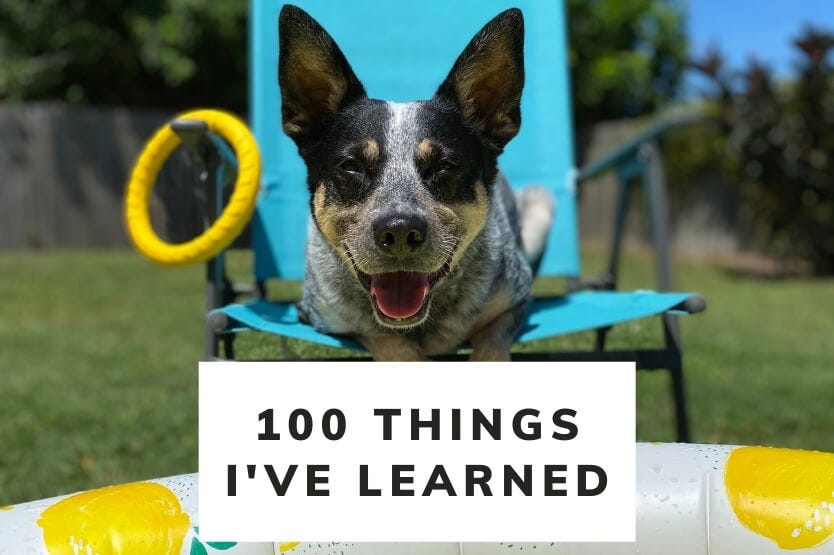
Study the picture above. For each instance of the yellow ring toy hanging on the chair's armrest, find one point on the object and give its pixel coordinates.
(235, 215)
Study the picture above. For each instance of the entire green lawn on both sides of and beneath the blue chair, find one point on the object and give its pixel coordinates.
(99, 351)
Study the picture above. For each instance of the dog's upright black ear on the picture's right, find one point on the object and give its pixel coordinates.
(486, 81)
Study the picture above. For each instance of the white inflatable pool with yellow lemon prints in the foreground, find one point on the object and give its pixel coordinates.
(691, 500)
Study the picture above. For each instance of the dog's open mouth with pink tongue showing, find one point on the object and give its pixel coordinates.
(400, 297)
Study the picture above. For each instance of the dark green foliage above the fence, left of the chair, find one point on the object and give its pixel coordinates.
(155, 53)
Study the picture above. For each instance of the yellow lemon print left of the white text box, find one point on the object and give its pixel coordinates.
(126, 519)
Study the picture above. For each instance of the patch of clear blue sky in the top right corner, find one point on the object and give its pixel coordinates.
(761, 28)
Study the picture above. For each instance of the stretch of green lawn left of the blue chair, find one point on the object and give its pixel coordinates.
(98, 380)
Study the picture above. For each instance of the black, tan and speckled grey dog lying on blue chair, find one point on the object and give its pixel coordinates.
(417, 243)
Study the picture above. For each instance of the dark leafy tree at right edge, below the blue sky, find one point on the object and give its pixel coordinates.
(777, 139)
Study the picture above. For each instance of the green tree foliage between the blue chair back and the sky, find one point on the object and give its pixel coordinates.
(626, 56)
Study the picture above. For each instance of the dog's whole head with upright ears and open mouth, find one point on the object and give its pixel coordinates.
(399, 191)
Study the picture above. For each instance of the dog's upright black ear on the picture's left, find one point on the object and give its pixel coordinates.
(315, 78)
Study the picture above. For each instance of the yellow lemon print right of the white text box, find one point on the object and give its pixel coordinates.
(783, 494)
